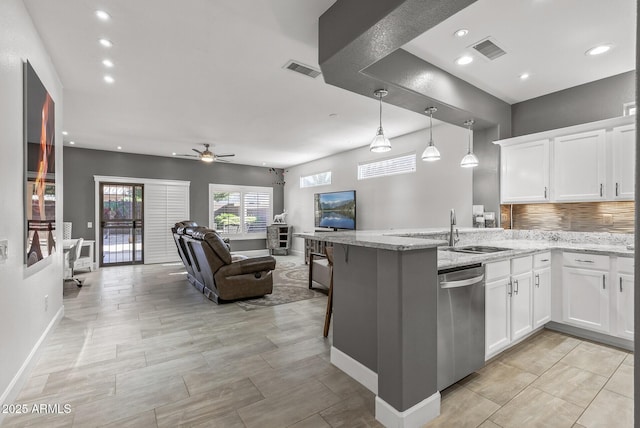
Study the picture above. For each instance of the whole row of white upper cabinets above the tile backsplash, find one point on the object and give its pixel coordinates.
(589, 162)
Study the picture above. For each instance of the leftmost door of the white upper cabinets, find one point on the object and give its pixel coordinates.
(525, 172)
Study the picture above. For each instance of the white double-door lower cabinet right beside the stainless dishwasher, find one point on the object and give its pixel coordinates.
(508, 304)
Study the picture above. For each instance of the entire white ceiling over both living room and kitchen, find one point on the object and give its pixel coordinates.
(198, 71)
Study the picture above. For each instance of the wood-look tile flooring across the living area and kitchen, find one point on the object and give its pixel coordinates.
(140, 347)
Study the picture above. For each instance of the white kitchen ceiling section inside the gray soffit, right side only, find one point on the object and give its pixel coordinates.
(545, 38)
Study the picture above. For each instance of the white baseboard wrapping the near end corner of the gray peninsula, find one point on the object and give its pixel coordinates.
(414, 417)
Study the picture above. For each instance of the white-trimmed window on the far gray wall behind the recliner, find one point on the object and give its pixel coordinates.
(240, 212)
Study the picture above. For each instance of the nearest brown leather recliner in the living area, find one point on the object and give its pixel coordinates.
(225, 279)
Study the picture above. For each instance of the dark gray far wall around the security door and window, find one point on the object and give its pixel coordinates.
(80, 165)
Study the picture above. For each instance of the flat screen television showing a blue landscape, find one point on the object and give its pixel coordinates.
(336, 210)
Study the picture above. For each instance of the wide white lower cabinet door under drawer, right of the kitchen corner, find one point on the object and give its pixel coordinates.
(586, 298)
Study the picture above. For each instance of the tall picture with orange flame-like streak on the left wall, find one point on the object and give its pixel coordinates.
(39, 169)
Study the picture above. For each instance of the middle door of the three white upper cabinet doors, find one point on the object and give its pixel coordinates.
(579, 167)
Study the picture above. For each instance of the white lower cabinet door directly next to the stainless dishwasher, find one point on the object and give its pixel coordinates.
(496, 316)
